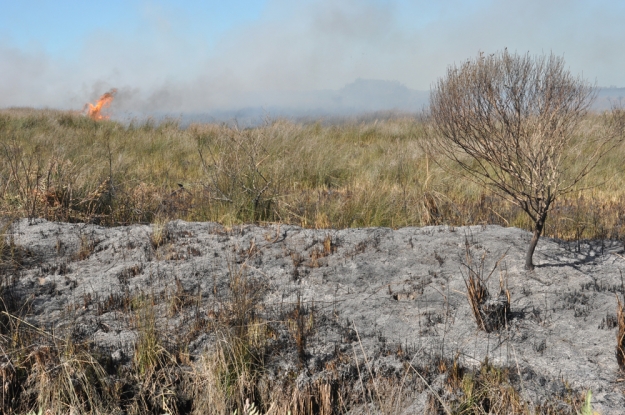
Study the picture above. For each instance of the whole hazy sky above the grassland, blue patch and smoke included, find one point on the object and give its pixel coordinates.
(192, 55)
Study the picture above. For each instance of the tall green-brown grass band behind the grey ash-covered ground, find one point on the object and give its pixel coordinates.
(64, 166)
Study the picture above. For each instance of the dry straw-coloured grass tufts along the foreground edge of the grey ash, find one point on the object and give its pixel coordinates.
(41, 372)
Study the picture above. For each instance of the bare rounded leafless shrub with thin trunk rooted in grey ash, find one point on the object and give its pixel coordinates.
(516, 118)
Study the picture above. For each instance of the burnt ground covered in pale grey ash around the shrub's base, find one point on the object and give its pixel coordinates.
(383, 297)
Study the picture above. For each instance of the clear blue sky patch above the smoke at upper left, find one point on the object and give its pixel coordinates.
(61, 27)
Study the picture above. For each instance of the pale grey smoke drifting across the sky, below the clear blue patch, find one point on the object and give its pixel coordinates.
(308, 55)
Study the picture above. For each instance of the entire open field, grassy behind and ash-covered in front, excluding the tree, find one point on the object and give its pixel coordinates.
(190, 318)
